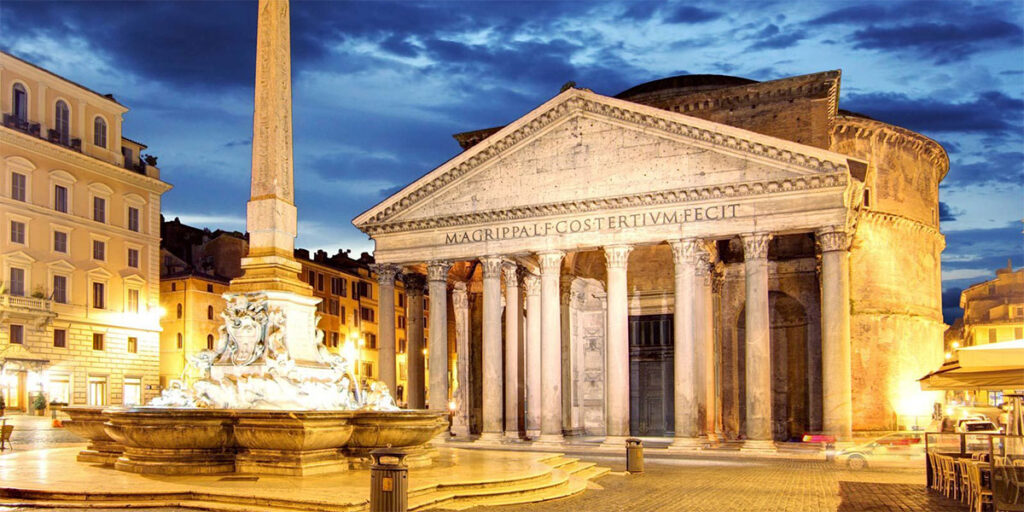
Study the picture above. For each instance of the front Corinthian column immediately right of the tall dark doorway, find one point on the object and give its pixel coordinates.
(688, 426)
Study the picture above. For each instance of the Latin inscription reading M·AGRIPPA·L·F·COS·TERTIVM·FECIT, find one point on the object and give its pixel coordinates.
(596, 224)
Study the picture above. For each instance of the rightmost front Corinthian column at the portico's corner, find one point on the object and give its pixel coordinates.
(836, 374)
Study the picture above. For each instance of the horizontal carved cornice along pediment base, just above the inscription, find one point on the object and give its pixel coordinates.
(661, 198)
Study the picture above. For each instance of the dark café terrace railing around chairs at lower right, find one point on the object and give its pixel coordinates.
(1004, 461)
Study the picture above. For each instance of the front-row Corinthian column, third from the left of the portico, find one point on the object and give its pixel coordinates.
(492, 349)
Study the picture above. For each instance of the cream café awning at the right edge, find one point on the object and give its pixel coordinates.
(993, 367)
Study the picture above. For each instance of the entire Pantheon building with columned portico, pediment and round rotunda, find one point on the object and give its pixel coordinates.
(706, 259)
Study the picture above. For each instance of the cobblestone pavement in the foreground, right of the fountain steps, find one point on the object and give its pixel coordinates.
(716, 486)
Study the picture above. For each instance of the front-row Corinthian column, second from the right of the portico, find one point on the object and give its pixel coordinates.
(758, 365)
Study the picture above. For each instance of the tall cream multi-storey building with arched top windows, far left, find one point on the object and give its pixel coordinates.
(80, 208)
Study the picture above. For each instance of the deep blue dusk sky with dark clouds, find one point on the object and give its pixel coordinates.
(380, 88)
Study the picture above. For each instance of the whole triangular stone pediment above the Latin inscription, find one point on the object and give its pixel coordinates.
(584, 147)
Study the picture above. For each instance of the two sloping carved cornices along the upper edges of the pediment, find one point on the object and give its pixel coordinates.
(780, 153)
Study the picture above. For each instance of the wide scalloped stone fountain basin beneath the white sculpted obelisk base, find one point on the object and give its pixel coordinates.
(172, 441)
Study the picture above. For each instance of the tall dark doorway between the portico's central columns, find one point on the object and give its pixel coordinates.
(652, 400)
